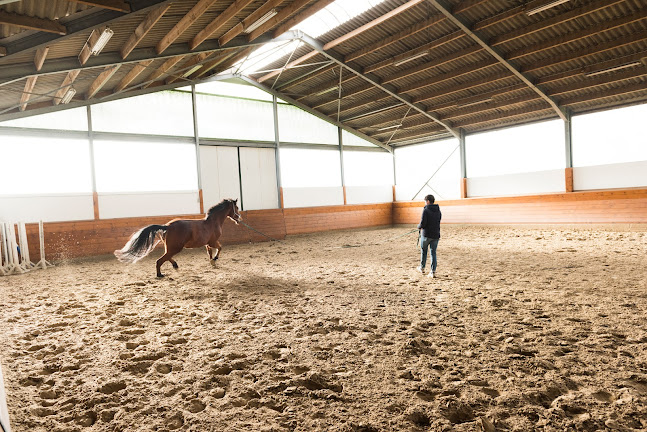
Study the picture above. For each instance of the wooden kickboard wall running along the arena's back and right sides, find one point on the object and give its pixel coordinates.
(97, 237)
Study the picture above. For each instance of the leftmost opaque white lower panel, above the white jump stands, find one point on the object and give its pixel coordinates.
(48, 208)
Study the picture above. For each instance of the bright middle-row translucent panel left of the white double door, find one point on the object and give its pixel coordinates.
(132, 166)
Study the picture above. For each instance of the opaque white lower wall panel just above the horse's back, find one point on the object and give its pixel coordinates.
(120, 205)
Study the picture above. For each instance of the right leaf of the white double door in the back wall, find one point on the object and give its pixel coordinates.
(258, 169)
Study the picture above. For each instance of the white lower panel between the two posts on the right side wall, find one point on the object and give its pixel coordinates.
(517, 184)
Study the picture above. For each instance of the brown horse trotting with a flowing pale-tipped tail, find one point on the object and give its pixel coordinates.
(179, 234)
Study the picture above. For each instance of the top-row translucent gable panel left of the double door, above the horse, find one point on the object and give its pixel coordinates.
(162, 113)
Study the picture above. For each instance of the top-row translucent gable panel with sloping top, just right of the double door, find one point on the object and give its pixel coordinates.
(296, 125)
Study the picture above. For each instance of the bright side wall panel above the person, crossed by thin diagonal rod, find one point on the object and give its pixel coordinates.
(437, 162)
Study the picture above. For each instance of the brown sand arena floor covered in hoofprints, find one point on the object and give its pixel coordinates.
(525, 328)
